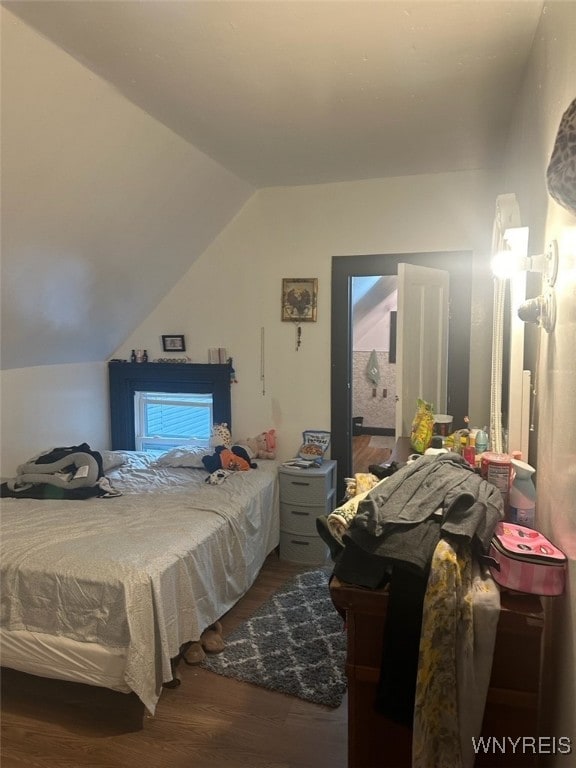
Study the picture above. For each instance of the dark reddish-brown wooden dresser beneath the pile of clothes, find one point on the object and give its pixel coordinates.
(512, 701)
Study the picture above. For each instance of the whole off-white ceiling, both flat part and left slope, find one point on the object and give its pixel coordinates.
(134, 131)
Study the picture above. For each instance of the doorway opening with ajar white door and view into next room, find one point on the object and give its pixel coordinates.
(417, 299)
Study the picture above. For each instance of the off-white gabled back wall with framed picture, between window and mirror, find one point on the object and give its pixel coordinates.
(234, 289)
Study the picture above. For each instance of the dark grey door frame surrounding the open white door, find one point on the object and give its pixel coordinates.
(344, 268)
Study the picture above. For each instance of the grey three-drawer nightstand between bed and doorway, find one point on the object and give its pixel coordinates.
(305, 494)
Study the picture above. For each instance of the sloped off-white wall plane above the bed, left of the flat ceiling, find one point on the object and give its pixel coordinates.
(103, 207)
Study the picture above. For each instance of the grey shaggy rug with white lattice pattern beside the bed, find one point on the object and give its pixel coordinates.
(295, 643)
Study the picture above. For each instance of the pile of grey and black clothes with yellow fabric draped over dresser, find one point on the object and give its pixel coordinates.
(423, 532)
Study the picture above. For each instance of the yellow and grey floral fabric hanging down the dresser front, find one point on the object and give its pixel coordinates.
(447, 635)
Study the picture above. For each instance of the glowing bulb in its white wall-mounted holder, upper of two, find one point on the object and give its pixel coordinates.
(515, 259)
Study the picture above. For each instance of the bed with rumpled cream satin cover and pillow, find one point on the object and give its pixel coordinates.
(106, 591)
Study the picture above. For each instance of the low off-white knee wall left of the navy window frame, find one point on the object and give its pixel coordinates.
(52, 405)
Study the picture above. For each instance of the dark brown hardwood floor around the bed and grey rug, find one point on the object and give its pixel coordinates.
(207, 722)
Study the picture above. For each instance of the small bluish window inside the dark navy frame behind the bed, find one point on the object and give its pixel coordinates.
(165, 420)
